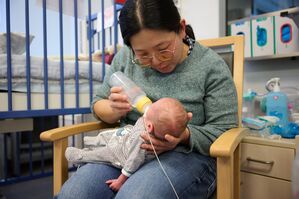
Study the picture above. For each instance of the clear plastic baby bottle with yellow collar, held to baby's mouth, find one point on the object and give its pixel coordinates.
(136, 95)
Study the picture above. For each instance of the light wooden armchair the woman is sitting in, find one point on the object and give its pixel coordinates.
(226, 148)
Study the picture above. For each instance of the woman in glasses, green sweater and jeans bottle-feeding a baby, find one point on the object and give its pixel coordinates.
(162, 57)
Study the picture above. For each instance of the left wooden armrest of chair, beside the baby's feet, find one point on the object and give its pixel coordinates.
(66, 131)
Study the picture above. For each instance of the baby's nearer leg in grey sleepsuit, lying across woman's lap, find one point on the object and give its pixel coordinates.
(100, 154)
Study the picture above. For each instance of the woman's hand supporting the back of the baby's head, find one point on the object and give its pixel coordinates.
(168, 144)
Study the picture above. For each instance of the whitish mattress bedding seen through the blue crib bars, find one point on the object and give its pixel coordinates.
(19, 81)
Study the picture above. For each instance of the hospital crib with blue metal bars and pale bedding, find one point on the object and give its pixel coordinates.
(46, 88)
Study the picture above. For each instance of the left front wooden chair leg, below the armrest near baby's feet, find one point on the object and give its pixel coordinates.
(60, 173)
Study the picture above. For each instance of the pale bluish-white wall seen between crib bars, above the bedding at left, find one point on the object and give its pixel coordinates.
(17, 21)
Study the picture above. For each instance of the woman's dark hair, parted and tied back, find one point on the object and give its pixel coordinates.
(152, 14)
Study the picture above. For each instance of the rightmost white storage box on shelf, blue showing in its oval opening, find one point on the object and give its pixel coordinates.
(286, 35)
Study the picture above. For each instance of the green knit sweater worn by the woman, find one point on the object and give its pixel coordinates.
(202, 83)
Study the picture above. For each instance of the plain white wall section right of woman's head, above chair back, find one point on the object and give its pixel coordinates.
(207, 18)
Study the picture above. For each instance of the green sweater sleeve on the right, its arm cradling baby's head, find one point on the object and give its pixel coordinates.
(220, 108)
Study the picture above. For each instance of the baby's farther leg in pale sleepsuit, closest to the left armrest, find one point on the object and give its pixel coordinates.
(100, 140)
